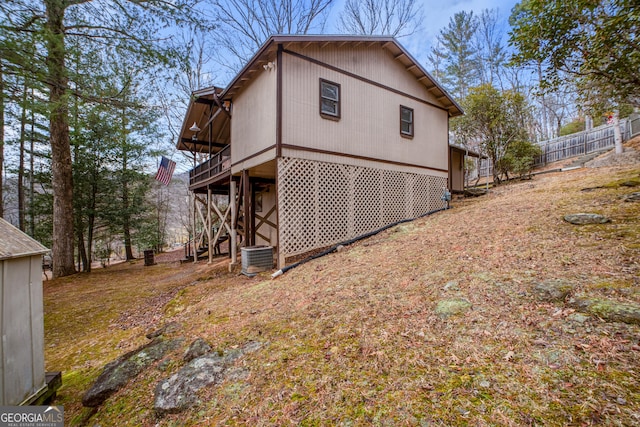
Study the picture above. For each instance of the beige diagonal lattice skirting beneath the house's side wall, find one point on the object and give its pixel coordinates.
(321, 204)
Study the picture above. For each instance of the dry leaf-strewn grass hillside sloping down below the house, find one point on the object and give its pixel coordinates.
(353, 338)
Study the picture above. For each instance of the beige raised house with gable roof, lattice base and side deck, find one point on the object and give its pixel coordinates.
(317, 140)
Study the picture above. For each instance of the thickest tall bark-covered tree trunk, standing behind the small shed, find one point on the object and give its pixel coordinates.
(62, 176)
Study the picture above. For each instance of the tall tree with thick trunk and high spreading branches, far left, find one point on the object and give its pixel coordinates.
(134, 26)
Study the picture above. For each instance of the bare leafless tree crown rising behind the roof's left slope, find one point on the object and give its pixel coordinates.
(244, 25)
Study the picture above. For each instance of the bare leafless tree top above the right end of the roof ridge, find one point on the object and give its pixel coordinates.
(397, 18)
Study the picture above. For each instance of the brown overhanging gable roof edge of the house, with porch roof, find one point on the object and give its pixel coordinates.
(211, 98)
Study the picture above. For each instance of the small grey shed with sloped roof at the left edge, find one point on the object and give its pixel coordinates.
(22, 373)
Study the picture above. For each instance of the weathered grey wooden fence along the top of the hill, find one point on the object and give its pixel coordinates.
(577, 144)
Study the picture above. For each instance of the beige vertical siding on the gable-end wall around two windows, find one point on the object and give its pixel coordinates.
(370, 122)
